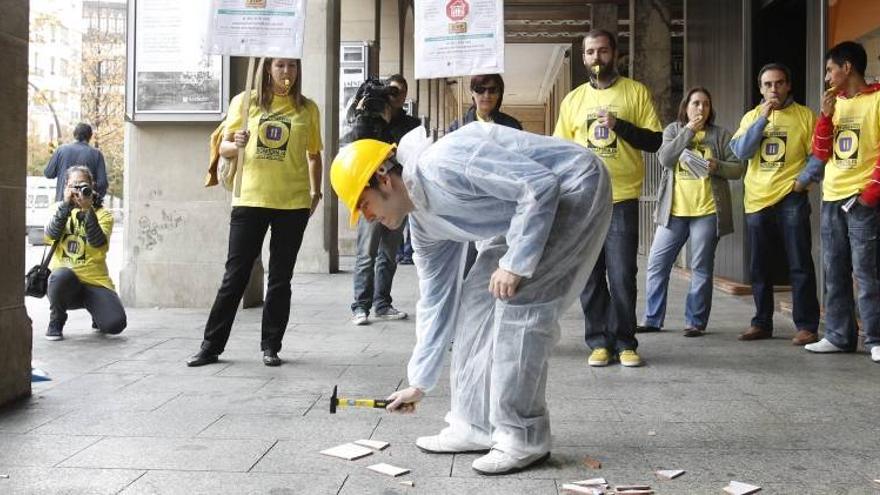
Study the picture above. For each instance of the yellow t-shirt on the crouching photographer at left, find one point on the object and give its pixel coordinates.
(89, 263)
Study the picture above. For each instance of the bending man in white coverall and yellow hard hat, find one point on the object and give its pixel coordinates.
(544, 205)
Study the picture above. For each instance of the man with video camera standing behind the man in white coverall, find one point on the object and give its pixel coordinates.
(376, 112)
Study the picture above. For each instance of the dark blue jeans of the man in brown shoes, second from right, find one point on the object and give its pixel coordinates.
(789, 220)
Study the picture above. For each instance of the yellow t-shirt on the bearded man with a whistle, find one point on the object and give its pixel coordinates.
(625, 99)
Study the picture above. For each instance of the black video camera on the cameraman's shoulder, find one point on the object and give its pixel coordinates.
(366, 112)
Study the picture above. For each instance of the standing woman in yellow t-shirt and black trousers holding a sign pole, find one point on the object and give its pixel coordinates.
(280, 188)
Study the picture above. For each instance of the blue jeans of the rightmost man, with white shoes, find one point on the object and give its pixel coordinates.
(849, 250)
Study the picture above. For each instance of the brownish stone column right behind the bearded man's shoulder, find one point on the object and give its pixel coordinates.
(651, 52)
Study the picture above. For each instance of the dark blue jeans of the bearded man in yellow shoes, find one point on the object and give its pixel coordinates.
(609, 298)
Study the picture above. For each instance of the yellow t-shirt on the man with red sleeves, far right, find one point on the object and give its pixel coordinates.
(856, 146)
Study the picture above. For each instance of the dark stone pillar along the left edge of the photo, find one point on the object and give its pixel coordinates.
(15, 326)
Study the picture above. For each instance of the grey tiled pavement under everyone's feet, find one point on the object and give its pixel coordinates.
(125, 415)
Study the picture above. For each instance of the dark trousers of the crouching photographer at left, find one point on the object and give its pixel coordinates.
(66, 292)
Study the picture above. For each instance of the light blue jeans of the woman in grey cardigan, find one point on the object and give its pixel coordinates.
(668, 241)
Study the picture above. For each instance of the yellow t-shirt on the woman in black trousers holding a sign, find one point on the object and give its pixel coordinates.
(276, 170)
